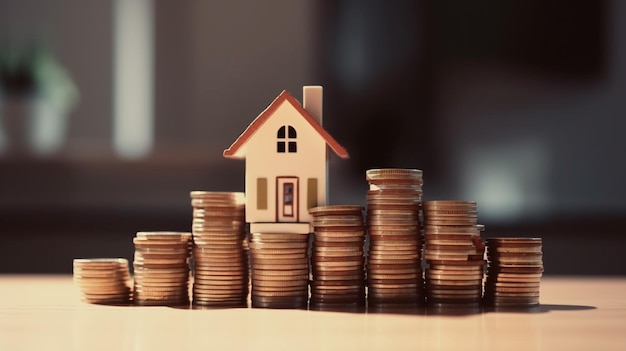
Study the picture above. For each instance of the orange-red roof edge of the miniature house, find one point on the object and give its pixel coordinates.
(269, 111)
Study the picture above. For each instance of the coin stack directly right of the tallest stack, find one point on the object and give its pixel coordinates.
(454, 253)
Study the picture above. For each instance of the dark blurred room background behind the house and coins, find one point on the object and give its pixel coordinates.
(112, 111)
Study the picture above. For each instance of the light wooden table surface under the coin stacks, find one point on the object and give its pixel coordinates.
(45, 313)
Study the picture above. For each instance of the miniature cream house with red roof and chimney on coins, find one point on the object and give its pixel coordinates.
(286, 163)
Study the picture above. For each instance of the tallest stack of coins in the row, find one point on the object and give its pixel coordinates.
(394, 273)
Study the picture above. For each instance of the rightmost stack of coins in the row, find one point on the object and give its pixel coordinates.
(514, 272)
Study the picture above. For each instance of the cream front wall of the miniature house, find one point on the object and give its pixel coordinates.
(262, 160)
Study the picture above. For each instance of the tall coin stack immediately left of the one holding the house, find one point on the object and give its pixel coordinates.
(220, 249)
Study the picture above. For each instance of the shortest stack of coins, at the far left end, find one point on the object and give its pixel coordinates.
(103, 280)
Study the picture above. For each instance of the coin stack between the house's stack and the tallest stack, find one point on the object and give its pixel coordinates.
(338, 262)
